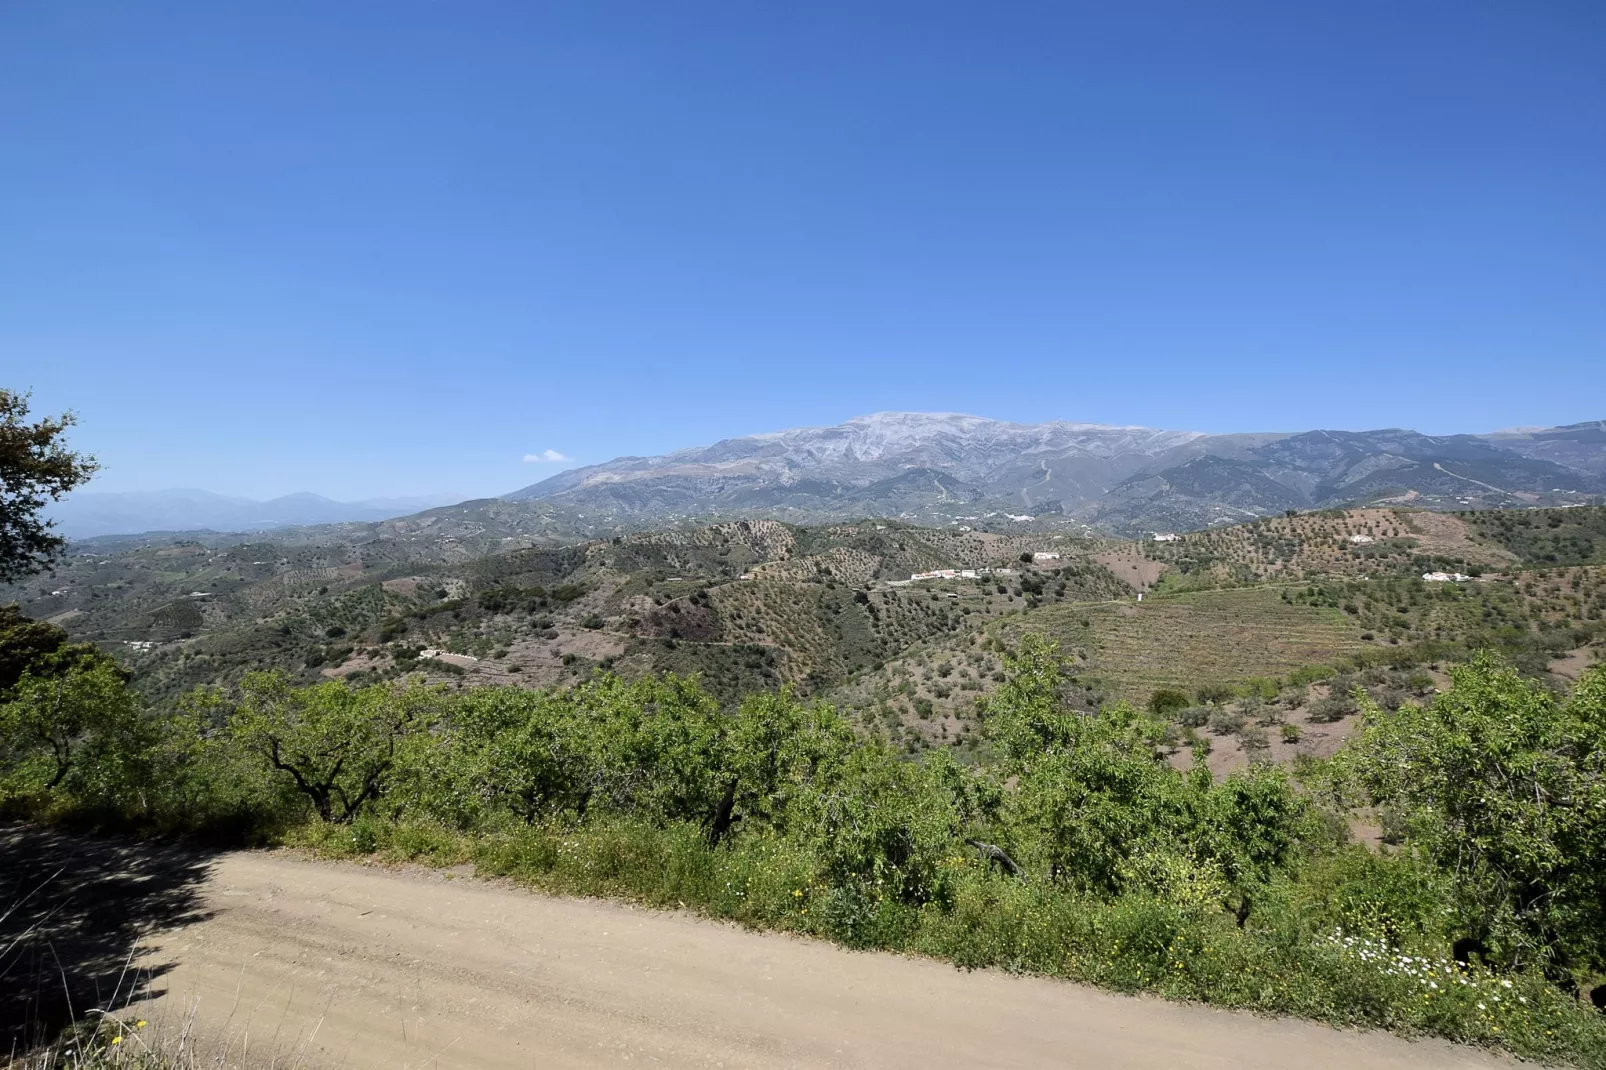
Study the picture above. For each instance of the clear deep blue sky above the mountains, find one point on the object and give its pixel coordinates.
(393, 248)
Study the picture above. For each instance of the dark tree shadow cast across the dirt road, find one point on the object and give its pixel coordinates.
(71, 912)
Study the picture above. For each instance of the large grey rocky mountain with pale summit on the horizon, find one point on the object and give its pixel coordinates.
(944, 467)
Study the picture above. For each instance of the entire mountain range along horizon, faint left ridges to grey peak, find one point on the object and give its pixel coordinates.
(935, 468)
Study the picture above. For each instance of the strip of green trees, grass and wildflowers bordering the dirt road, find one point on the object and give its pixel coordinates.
(1074, 849)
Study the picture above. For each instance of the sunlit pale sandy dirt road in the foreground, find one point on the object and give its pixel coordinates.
(356, 966)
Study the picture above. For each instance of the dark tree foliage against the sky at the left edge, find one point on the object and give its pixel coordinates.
(35, 467)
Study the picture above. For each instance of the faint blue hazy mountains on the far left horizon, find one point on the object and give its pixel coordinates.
(86, 515)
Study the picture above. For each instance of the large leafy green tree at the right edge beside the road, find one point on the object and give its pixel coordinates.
(1504, 785)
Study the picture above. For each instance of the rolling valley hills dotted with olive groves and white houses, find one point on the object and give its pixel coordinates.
(1241, 621)
